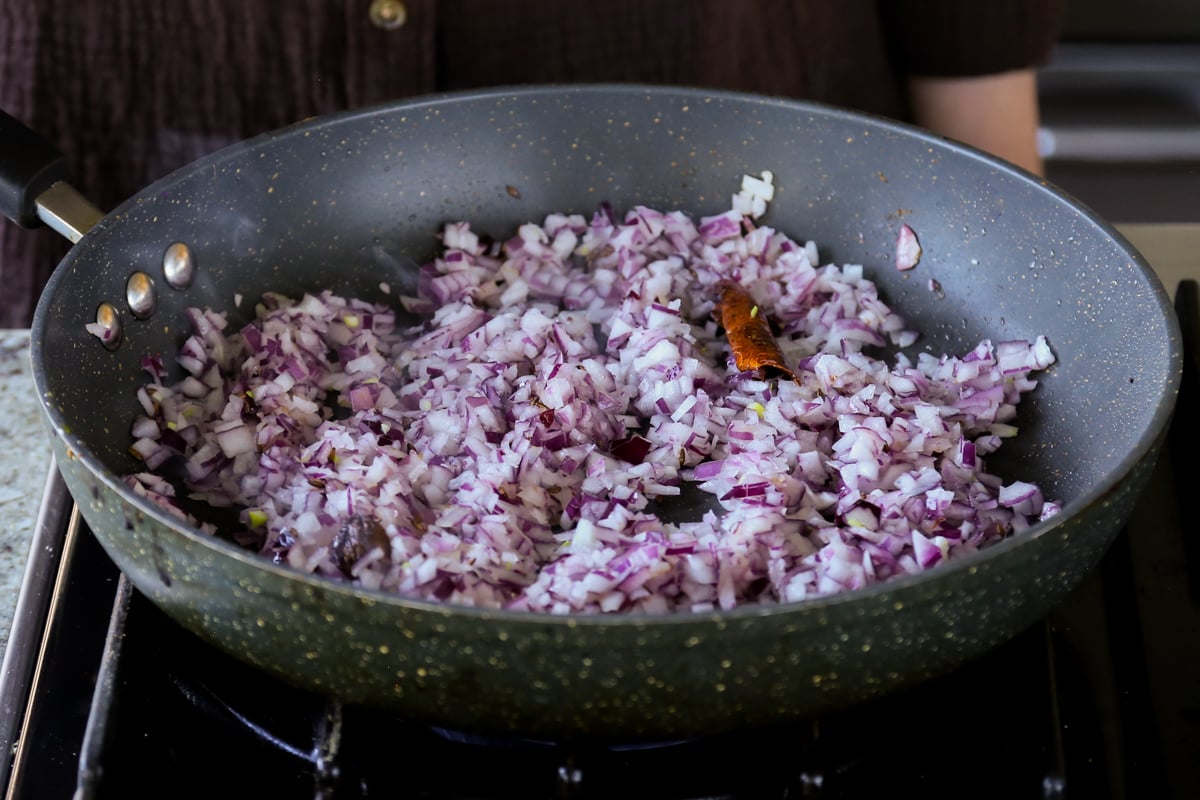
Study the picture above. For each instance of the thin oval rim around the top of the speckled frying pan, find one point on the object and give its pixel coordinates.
(893, 591)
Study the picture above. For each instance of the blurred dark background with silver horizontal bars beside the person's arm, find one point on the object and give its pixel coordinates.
(1121, 110)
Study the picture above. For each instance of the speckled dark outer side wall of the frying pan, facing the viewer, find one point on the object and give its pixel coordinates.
(641, 679)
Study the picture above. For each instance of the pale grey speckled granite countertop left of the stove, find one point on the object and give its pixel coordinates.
(23, 470)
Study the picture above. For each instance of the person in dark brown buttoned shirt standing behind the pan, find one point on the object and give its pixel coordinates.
(133, 91)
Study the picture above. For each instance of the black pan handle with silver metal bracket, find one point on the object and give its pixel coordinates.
(34, 185)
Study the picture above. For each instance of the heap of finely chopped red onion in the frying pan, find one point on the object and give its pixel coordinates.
(517, 447)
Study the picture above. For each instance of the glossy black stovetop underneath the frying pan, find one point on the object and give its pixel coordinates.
(1100, 700)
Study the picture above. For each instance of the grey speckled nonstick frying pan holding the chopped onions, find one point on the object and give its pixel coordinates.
(340, 202)
